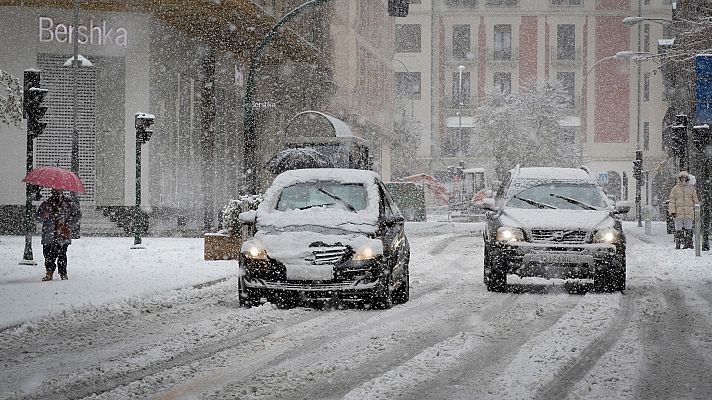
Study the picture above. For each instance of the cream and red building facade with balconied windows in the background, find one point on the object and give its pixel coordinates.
(461, 50)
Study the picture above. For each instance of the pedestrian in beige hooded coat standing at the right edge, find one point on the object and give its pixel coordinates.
(683, 198)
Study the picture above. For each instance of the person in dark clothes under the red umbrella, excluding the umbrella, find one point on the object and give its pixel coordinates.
(59, 216)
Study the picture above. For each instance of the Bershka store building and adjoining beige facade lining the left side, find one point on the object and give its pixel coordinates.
(186, 62)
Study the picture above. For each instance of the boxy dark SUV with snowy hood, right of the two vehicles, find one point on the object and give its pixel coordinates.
(554, 223)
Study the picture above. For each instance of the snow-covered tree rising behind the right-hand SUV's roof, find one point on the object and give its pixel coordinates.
(524, 128)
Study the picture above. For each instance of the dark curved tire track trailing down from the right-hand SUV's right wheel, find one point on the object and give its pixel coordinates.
(564, 381)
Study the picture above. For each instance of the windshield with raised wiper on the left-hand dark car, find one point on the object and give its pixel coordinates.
(300, 196)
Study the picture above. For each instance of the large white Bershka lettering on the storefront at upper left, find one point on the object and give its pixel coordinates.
(96, 33)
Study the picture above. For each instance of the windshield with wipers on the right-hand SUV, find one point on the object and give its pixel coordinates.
(567, 196)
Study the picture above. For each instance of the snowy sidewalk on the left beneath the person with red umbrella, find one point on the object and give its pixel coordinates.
(101, 270)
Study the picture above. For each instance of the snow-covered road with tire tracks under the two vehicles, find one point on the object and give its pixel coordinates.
(452, 340)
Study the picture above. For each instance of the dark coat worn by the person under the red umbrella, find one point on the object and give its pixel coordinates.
(59, 217)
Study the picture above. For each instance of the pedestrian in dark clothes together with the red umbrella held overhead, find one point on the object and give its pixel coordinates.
(59, 215)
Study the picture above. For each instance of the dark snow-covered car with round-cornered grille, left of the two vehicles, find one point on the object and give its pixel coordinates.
(323, 234)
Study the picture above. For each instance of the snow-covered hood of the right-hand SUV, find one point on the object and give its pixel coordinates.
(556, 219)
